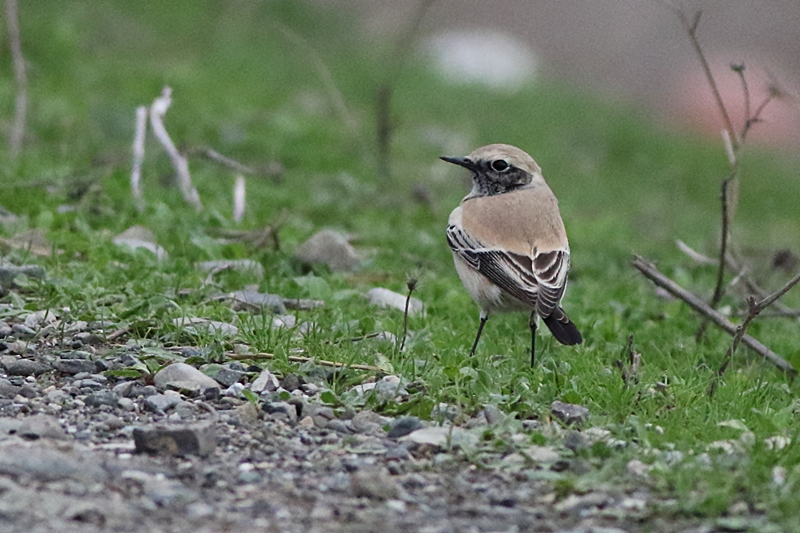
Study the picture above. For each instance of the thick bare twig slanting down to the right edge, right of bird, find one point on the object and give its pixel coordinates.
(651, 272)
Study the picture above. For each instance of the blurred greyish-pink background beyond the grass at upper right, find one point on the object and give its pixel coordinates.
(630, 50)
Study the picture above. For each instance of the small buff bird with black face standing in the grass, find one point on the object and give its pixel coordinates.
(509, 243)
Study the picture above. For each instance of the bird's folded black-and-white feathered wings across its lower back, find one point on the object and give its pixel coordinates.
(539, 281)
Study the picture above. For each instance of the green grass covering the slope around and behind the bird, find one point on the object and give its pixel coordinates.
(241, 86)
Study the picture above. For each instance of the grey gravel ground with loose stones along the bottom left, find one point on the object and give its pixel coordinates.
(80, 451)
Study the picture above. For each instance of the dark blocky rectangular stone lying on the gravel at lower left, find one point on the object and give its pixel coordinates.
(191, 439)
